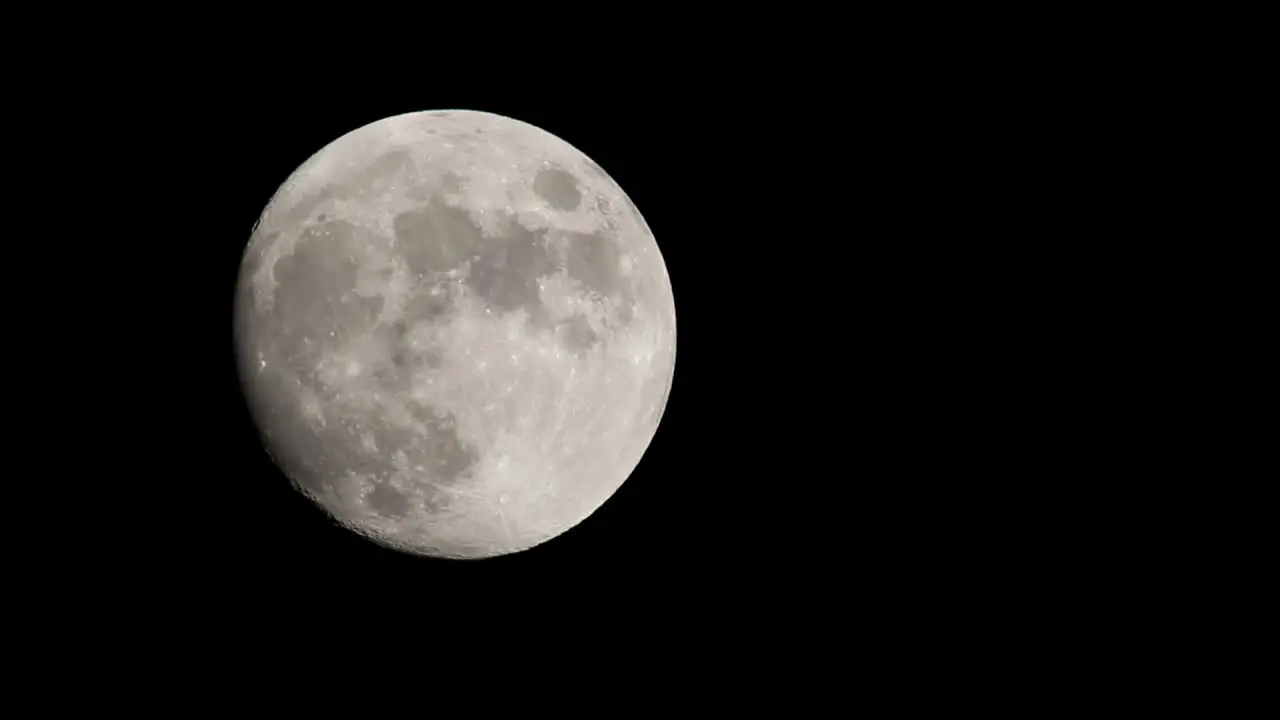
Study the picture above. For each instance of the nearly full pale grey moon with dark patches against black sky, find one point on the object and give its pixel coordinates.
(455, 332)
